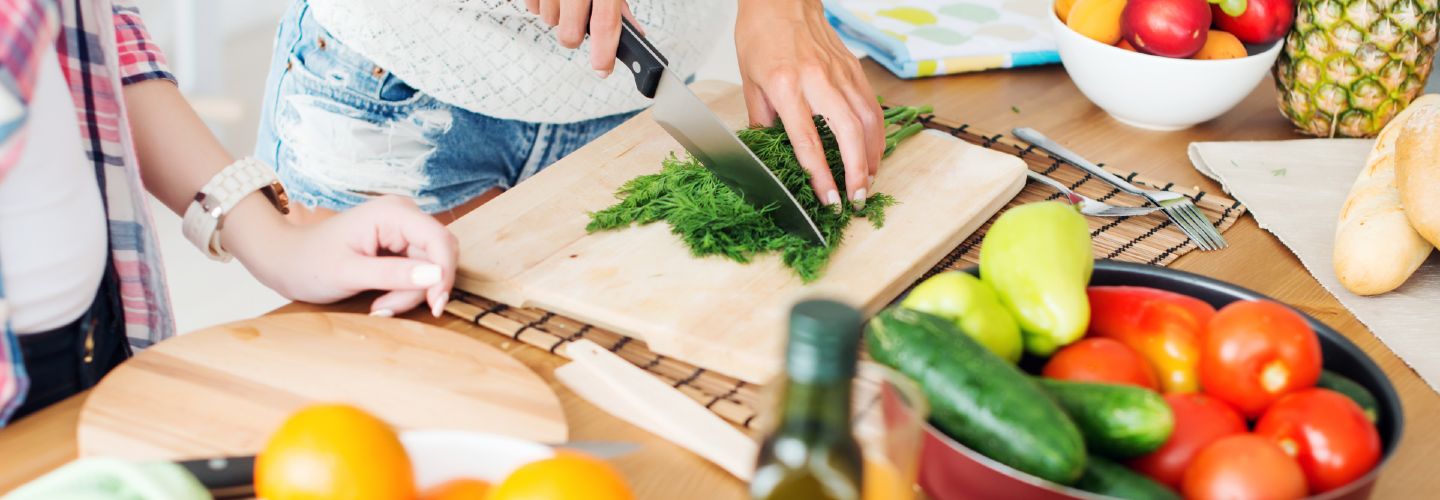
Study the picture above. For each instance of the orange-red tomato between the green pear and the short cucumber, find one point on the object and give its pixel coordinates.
(1105, 361)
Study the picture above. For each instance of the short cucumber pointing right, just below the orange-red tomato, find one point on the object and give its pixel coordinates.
(1118, 421)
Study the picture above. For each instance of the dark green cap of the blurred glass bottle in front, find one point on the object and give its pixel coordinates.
(824, 342)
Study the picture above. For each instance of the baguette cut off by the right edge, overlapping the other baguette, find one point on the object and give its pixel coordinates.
(1418, 172)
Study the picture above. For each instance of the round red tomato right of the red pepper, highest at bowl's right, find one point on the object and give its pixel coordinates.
(1256, 352)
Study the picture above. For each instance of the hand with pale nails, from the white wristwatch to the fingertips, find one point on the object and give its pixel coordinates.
(387, 244)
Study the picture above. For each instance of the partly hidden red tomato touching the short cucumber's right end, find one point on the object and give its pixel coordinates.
(1200, 420)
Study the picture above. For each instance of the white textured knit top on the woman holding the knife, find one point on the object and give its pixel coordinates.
(495, 58)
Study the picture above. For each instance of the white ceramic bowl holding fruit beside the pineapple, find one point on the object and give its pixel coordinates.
(1158, 93)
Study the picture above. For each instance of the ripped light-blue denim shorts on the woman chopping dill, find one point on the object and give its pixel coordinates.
(342, 130)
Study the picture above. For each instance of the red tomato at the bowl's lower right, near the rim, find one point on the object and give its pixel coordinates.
(1327, 433)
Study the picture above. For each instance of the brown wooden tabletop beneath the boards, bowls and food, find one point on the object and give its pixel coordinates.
(994, 103)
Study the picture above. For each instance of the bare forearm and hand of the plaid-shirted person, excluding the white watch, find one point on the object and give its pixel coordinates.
(387, 244)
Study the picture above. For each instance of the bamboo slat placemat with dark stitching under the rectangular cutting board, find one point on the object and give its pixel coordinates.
(1150, 240)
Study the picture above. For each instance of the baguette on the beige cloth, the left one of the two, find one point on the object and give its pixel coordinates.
(1376, 249)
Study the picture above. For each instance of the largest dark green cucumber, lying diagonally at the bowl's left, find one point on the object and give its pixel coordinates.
(978, 398)
